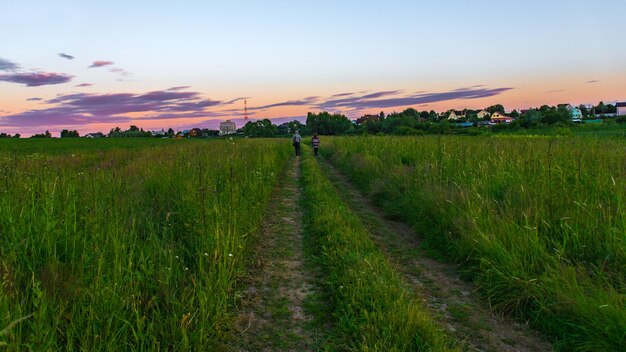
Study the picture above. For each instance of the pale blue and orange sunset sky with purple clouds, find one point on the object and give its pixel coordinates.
(93, 65)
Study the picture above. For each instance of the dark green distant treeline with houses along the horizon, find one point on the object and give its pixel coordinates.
(408, 122)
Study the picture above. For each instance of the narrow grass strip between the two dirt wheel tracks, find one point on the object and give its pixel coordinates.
(372, 309)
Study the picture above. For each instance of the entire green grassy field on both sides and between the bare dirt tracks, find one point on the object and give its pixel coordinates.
(132, 244)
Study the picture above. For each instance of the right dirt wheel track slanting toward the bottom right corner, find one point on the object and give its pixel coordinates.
(451, 300)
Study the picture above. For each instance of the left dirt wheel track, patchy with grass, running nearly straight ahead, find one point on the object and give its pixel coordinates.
(272, 316)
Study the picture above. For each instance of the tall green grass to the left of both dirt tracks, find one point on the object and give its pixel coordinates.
(127, 248)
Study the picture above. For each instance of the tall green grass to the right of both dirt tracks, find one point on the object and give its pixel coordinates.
(539, 222)
